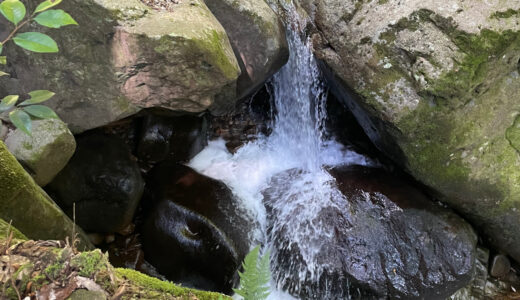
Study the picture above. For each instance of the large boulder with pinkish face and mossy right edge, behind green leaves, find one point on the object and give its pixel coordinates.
(125, 56)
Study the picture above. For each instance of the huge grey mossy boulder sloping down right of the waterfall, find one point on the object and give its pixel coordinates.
(438, 85)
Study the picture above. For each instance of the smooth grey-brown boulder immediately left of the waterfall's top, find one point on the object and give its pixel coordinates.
(257, 37)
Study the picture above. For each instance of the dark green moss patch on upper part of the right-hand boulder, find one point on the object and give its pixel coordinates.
(480, 51)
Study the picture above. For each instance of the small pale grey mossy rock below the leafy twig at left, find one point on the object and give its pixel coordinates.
(46, 152)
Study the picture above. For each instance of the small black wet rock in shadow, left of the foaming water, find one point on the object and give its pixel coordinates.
(178, 138)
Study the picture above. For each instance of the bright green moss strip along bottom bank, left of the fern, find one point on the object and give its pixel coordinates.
(153, 287)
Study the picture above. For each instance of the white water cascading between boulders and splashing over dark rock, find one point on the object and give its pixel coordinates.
(296, 142)
